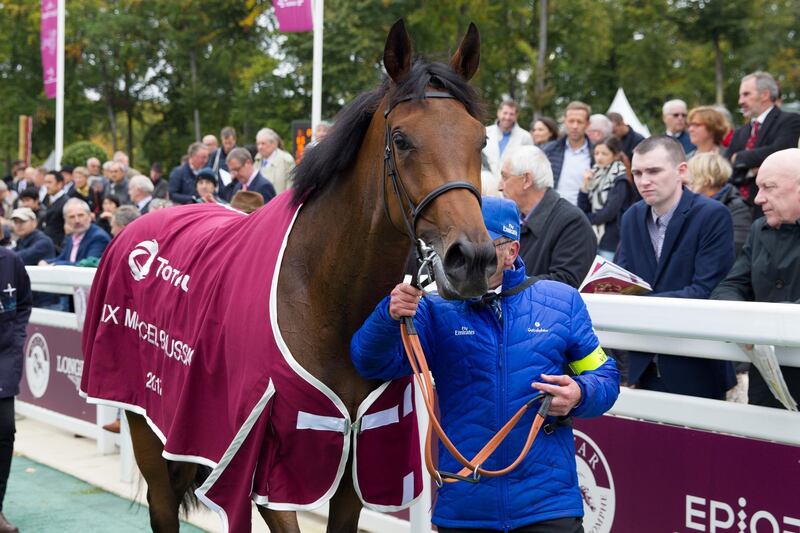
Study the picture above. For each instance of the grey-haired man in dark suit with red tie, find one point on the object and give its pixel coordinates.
(768, 130)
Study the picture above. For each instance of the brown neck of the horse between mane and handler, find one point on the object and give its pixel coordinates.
(344, 254)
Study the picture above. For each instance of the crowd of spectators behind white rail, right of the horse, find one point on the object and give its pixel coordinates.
(682, 210)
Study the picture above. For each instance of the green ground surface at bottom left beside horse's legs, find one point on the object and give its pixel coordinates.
(40, 499)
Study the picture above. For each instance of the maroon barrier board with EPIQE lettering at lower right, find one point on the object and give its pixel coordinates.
(640, 476)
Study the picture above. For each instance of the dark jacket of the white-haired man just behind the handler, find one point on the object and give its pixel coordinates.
(557, 242)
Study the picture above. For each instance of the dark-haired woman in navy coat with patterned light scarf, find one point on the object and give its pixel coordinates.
(606, 193)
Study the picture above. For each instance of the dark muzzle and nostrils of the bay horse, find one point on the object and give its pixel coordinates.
(466, 267)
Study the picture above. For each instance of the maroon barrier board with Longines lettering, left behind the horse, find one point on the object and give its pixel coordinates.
(51, 371)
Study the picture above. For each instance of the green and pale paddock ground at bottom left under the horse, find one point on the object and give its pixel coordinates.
(60, 484)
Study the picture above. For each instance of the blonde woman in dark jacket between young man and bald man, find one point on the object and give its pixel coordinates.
(708, 175)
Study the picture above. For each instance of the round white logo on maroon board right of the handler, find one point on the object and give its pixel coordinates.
(596, 484)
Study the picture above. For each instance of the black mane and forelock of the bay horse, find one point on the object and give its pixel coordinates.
(329, 160)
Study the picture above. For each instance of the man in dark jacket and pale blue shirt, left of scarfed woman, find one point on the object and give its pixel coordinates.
(571, 155)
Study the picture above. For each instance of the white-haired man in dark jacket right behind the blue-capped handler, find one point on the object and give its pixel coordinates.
(556, 242)
